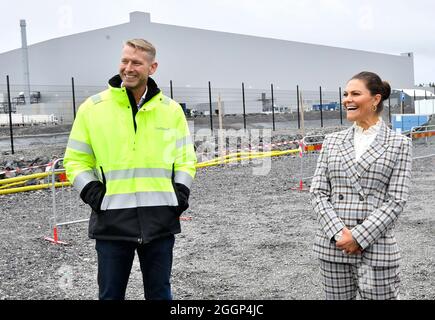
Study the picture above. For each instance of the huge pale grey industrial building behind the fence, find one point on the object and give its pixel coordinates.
(190, 58)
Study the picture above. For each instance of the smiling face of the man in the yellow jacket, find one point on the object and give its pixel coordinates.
(135, 67)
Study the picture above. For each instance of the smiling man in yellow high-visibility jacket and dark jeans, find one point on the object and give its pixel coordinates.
(131, 157)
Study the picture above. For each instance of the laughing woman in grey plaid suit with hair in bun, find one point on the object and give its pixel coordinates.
(359, 189)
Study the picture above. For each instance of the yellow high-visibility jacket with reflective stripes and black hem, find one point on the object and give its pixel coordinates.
(137, 161)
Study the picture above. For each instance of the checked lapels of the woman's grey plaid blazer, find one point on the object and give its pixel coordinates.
(356, 169)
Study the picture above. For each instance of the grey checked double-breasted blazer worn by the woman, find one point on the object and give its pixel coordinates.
(366, 196)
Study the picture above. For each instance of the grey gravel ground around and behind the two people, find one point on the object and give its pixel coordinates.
(250, 237)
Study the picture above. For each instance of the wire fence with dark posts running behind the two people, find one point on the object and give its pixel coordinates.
(273, 107)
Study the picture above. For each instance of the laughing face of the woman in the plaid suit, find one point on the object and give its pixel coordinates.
(359, 102)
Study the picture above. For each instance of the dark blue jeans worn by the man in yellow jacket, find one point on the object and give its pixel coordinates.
(115, 259)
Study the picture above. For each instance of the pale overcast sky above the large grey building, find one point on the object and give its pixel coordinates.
(386, 26)
